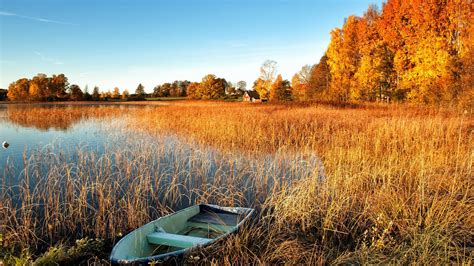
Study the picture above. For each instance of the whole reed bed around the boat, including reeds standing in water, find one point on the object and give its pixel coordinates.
(360, 184)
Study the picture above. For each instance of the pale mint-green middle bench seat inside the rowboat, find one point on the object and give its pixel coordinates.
(175, 240)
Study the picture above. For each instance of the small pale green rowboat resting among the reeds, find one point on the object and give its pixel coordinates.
(175, 234)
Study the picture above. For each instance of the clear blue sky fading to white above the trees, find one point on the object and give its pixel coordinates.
(122, 43)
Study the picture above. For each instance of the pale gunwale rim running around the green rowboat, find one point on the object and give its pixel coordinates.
(165, 256)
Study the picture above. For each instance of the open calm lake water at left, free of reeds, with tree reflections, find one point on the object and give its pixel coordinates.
(31, 129)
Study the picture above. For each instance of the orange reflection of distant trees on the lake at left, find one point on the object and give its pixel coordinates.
(55, 116)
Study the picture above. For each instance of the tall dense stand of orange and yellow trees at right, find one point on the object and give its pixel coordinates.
(418, 51)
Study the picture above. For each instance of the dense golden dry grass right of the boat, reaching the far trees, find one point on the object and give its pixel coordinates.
(398, 187)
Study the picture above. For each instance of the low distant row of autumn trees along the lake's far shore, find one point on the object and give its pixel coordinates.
(57, 88)
